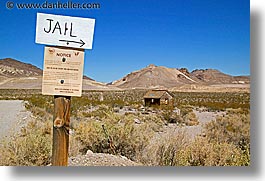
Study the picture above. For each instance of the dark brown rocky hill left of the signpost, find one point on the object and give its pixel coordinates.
(14, 68)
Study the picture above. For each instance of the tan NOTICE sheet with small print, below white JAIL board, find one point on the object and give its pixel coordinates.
(63, 71)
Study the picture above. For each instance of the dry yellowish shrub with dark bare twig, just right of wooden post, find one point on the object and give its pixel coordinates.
(93, 138)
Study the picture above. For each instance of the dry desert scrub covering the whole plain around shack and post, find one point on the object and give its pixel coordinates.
(136, 132)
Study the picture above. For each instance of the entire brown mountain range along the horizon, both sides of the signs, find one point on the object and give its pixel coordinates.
(16, 74)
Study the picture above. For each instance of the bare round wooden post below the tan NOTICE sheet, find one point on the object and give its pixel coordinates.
(61, 122)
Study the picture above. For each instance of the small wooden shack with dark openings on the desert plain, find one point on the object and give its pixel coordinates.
(158, 97)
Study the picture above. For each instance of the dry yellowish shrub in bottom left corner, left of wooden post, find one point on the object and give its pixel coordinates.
(29, 148)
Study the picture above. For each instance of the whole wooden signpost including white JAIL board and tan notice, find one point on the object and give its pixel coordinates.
(63, 70)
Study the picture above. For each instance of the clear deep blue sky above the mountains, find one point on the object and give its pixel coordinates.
(131, 34)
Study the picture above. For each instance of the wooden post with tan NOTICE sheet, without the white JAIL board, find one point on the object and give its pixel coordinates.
(62, 77)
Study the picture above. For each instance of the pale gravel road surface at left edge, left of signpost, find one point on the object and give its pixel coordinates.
(13, 116)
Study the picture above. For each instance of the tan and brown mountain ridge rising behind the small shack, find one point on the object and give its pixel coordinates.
(162, 77)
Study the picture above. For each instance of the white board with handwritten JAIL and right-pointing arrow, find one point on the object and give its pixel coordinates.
(65, 31)
